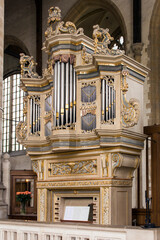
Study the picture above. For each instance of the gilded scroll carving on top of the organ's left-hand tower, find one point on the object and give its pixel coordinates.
(27, 66)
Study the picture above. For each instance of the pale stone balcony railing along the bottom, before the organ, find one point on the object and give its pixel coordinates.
(16, 230)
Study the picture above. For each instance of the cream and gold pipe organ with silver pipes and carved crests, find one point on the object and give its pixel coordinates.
(83, 125)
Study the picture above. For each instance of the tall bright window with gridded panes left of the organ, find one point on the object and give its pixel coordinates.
(12, 112)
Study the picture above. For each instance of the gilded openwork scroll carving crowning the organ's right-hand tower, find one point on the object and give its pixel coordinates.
(102, 39)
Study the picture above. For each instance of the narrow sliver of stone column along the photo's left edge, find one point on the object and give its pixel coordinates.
(3, 206)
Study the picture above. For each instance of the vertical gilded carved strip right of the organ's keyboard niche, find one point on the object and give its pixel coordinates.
(105, 199)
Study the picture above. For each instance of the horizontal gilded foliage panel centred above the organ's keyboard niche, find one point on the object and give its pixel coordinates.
(79, 167)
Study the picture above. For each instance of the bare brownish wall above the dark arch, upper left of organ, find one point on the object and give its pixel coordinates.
(21, 22)
